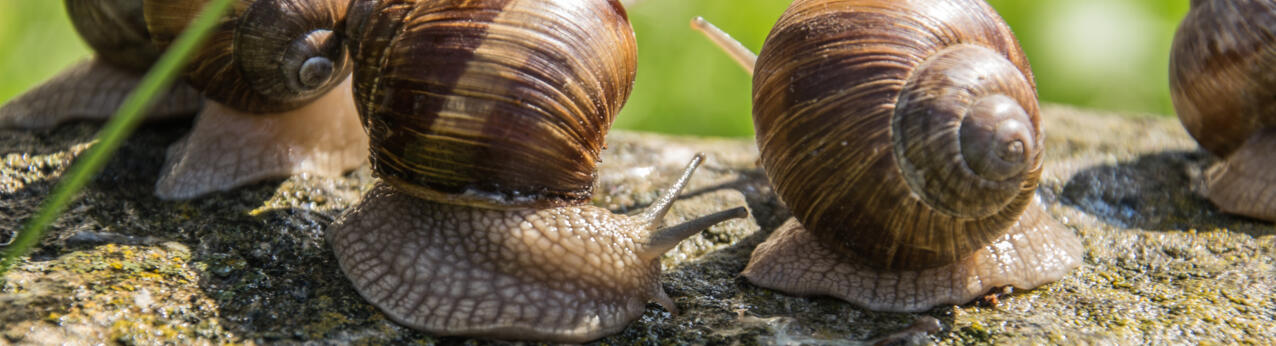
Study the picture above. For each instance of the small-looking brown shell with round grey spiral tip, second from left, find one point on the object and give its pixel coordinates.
(267, 57)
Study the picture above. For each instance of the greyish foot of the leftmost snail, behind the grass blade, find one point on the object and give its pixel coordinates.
(90, 90)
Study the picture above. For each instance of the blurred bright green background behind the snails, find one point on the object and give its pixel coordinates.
(1104, 54)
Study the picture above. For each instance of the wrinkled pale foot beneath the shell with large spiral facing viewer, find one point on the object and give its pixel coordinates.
(1033, 252)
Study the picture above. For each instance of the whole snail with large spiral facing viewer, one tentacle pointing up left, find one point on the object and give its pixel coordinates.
(907, 140)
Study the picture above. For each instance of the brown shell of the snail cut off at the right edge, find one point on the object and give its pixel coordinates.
(1223, 72)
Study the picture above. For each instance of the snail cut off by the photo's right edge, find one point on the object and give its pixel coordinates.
(1224, 93)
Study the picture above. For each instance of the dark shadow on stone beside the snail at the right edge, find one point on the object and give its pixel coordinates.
(1154, 192)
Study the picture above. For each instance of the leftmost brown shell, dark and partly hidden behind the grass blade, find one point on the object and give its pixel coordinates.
(117, 31)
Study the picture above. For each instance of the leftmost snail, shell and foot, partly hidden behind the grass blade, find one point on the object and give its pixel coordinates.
(95, 89)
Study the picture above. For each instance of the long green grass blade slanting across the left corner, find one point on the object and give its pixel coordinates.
(122, 124)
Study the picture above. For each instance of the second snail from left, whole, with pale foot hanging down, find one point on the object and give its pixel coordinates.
(276, 77)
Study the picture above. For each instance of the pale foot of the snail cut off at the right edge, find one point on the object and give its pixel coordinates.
(1246, 182)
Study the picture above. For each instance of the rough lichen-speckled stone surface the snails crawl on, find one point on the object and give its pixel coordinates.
(252, 266)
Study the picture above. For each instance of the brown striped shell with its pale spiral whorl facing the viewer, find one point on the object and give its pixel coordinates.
(903, 135)
